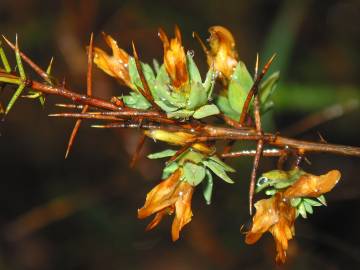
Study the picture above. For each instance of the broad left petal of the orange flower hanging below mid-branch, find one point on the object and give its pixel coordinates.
(160, 196)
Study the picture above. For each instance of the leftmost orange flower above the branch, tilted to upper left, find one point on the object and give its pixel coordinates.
(115, 65)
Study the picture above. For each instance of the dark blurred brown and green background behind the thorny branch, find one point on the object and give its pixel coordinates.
(80, 213)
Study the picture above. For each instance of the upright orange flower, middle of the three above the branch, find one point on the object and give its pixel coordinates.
(174, 58)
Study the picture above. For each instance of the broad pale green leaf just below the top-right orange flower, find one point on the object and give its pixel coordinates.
(240, 84)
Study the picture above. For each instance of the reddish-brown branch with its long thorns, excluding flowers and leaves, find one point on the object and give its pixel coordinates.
(121, 116)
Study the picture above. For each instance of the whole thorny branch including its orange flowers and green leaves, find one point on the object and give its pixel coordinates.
(184, 129)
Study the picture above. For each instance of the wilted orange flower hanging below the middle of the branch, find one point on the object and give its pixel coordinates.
(169, 196)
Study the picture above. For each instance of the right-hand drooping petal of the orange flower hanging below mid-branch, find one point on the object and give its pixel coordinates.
(183, 211)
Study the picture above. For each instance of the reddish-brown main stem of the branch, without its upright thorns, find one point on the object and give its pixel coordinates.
(211, 132)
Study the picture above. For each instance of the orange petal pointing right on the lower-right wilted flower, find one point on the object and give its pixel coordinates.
(310, 185)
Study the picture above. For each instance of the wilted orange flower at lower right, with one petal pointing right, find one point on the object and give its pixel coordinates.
(276, 214)
